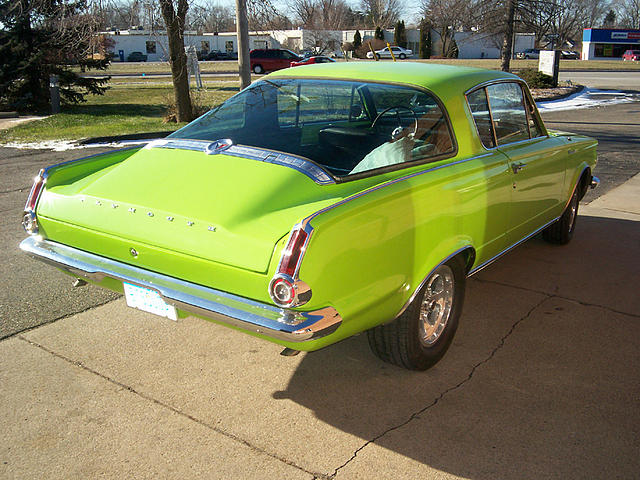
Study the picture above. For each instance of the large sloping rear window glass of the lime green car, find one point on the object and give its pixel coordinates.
(345, 127)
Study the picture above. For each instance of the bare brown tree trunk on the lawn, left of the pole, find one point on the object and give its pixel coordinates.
(174, 21)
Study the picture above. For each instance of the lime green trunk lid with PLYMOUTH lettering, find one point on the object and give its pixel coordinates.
(223, 208)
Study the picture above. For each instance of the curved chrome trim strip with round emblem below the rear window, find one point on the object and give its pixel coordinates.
(300, 164)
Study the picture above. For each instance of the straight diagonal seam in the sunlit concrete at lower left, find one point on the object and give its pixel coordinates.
(175, 410)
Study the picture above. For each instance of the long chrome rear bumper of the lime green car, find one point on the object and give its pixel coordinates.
(268, 320)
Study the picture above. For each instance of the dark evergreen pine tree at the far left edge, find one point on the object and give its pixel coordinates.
(40, 38)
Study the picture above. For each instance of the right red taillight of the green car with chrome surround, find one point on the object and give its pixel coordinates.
(285, 288)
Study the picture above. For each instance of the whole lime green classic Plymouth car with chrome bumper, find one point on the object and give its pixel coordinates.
(320, 202)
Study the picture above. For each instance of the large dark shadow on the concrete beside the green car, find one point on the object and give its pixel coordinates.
(541, 381)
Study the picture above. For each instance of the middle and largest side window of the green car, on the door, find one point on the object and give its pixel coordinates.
(507, 109)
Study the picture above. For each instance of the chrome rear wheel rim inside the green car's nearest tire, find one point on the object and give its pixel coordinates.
(435, 308)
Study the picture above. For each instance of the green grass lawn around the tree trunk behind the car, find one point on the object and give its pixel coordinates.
(122, 110)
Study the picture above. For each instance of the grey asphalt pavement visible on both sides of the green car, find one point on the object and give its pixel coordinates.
(32, 293)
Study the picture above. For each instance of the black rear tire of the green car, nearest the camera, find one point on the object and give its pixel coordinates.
(410, 341)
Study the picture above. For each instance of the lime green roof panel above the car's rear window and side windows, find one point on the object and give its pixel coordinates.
(436, 77)
